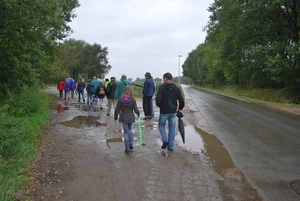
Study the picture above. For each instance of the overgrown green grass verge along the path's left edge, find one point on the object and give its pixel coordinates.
(21, 118)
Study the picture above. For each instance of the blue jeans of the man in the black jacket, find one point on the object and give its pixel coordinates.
(171, 117)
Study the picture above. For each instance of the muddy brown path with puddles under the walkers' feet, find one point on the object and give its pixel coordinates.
(82, 158)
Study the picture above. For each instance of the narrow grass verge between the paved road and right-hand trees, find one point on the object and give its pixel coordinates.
(264, 96)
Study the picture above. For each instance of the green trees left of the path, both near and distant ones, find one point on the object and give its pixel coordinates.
(33, 49)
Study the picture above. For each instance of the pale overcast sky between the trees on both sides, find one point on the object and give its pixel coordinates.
(142, 35)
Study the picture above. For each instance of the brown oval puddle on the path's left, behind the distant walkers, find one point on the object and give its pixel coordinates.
(83, 122)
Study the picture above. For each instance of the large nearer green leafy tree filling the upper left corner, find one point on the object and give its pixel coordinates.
(29, 31)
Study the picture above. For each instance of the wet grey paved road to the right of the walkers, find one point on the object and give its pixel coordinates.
(263, 142)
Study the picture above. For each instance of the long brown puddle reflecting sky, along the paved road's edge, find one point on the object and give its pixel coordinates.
(199, 141)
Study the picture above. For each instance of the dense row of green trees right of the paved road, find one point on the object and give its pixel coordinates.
(249, 44)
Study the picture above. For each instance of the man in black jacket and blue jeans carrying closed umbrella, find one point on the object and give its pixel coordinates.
(167, 99)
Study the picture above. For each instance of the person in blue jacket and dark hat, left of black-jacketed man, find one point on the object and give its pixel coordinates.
(147, 94)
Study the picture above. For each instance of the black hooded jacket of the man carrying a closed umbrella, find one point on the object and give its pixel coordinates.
(167, 96)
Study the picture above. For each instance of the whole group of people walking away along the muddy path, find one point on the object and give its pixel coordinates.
(120, 95)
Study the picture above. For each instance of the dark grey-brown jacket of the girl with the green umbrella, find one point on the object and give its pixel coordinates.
(126, 107)
